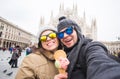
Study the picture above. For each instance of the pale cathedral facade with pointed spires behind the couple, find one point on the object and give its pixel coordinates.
(88, 30)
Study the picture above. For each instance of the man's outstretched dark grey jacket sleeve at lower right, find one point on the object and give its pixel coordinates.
(99, 65)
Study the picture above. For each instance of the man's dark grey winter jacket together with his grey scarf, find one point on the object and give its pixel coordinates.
(97, 63)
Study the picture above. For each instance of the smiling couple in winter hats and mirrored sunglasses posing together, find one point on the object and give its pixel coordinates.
(88, 59)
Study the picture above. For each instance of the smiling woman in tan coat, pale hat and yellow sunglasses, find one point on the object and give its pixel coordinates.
(40, 63)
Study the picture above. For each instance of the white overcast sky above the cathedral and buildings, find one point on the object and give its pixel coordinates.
(26, 14)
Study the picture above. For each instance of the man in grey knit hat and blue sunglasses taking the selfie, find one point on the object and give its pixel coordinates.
(88, 59)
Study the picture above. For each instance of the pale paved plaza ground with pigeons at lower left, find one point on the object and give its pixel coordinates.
(6, 72)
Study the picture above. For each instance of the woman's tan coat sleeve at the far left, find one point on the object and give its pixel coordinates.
(26, 71)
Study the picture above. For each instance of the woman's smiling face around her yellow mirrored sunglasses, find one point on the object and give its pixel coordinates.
(51, 44)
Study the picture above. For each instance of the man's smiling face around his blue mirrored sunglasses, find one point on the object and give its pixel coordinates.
(69, 40)
